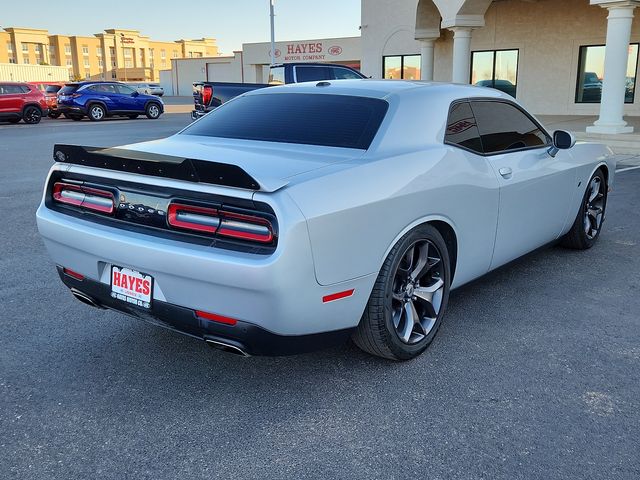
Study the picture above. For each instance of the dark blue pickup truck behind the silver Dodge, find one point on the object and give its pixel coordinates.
(209, 95)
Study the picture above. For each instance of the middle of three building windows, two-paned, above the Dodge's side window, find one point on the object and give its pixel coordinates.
(495, 69)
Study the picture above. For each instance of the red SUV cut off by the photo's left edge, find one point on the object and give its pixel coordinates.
(21, 101)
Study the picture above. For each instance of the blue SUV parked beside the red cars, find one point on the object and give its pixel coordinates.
(98, 100)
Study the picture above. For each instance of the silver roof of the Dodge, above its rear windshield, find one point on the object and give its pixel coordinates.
(384, 89)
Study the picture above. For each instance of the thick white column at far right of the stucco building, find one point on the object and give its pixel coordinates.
(615, 67)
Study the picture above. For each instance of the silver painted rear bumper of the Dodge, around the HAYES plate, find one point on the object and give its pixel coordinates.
(277, 293)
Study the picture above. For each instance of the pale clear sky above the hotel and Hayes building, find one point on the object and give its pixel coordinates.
(232, 23)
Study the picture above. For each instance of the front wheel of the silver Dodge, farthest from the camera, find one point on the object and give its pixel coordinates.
(588, 223)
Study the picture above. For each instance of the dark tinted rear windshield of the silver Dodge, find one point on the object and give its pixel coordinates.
(310, 119)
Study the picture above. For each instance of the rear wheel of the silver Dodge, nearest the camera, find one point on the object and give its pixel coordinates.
(409, 298)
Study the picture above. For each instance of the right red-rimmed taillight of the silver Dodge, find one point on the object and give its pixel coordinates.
(224, 223)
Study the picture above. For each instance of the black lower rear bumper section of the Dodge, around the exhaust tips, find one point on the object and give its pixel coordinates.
(243, 336)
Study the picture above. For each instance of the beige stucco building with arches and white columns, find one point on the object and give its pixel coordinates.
(551, 54)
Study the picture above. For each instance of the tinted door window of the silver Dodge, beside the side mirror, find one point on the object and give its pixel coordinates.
(504, 127)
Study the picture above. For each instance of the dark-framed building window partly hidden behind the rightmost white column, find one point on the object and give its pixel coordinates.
(591, 74)
